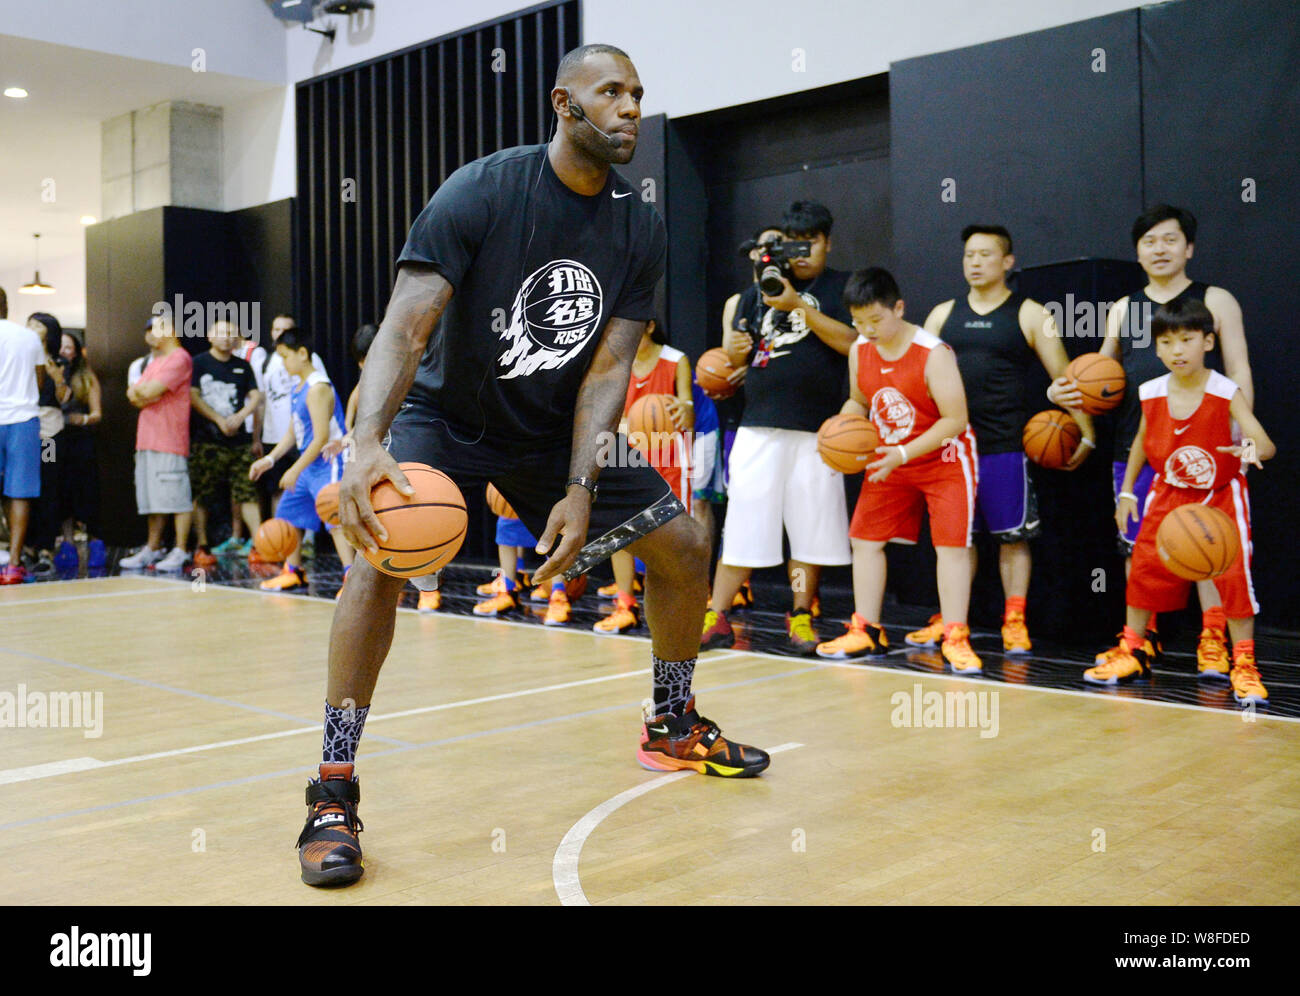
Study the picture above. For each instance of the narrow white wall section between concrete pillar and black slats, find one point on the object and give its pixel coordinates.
(258, 150)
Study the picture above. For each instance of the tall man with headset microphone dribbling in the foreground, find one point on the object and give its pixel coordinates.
(505, 357)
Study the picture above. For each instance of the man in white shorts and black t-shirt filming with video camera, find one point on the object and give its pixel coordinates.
(794, 332)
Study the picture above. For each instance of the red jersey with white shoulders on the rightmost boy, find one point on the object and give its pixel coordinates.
(1185, 452)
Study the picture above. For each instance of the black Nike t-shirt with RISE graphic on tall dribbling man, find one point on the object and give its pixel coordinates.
(538, 272)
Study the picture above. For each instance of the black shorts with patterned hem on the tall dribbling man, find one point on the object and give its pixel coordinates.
(634, 499)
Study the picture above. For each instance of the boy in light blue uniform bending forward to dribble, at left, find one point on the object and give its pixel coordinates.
(317, 417)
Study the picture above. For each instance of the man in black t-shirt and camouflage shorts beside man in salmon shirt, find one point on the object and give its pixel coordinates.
(223, 395)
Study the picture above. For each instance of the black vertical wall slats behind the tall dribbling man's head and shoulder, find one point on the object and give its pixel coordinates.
(398, 128)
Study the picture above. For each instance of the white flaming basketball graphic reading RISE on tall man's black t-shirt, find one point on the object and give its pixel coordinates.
(556, 314)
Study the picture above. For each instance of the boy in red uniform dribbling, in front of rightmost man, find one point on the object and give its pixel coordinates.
(1186, 434)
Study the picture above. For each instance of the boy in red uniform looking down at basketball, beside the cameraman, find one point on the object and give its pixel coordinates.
(907, 382)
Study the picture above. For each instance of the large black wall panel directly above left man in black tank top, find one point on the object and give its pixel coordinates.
(1030, 137)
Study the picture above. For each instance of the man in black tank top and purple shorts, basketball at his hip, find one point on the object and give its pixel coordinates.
(998, 336)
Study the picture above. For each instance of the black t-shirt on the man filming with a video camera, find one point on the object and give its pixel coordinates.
(795, 380)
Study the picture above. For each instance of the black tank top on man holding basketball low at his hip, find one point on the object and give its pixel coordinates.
(996, 363)
